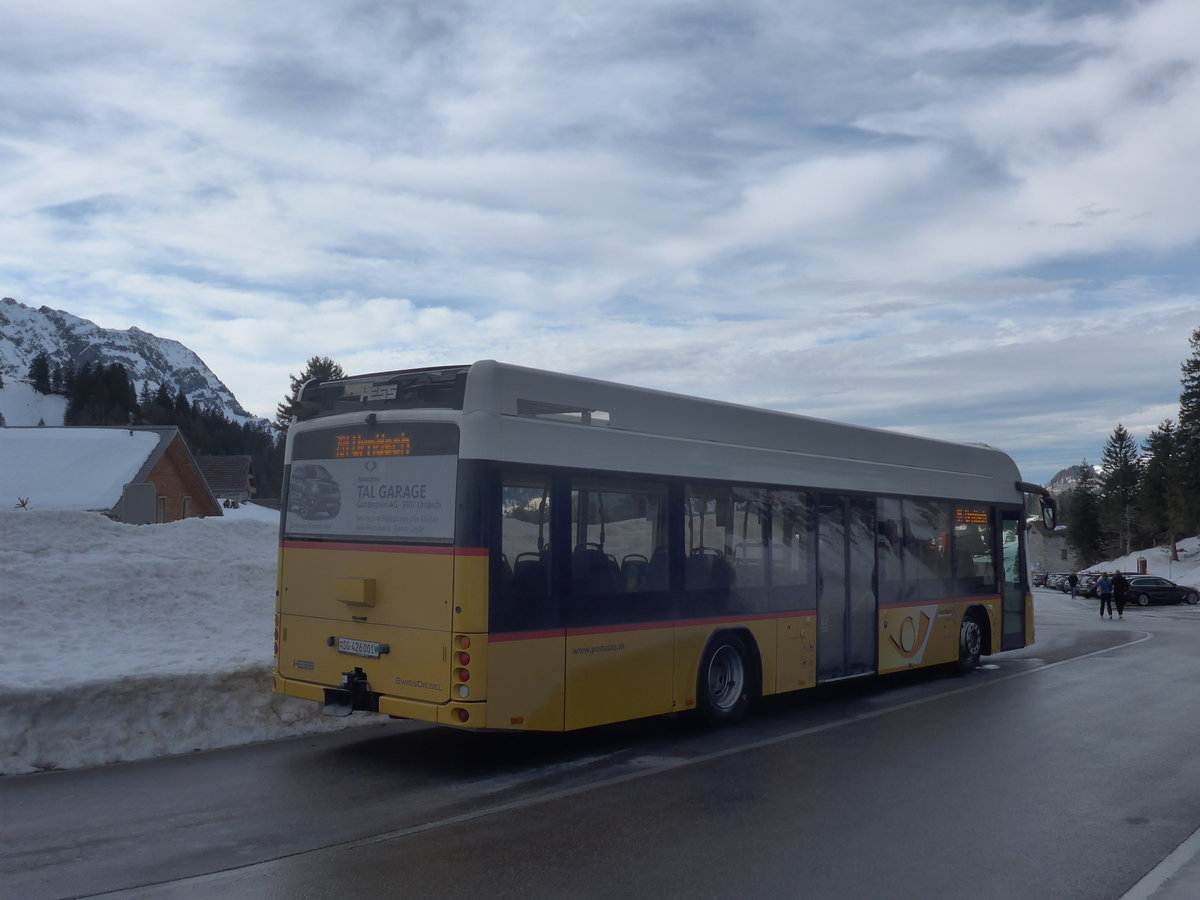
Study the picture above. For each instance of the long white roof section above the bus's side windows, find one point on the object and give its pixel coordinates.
(533, 417)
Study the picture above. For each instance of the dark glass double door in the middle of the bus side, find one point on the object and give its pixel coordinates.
(847, 603)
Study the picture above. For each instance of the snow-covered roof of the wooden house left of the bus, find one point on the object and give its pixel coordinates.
(76, 469)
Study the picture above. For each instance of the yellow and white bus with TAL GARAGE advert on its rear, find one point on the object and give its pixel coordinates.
(493, 547)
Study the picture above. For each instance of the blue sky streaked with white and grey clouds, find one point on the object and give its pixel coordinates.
(975, 221)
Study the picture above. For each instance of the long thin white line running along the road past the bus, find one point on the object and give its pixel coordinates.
(667, 764)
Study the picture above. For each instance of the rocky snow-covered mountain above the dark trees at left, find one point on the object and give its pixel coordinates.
(149, 359)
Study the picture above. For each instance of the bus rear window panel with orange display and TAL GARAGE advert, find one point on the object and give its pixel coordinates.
(385, 482)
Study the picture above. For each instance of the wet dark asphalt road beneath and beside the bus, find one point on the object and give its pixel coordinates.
(1067, 770)
